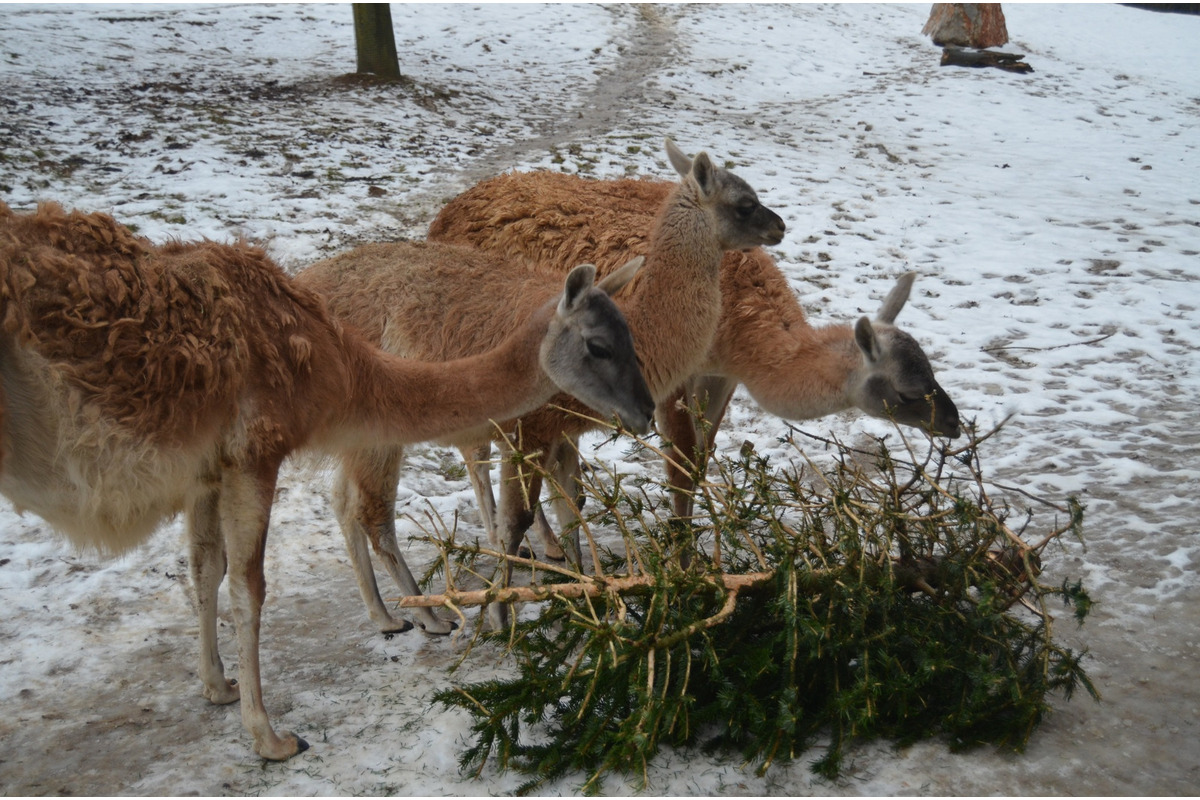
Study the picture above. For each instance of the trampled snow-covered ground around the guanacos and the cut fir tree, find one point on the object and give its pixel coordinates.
(1054, 220)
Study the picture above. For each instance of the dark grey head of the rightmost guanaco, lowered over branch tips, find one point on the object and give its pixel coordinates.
(898, 380)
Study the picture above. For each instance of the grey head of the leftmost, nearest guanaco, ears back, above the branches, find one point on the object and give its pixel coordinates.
(590, 354)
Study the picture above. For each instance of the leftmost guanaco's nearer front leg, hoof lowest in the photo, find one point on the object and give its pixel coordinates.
(245, 514)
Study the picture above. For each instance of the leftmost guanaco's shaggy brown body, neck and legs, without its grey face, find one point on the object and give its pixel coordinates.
(142, 381)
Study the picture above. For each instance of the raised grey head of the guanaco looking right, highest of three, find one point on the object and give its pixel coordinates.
(739, 220)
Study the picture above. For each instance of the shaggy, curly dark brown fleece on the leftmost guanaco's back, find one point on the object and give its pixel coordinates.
(152, 339)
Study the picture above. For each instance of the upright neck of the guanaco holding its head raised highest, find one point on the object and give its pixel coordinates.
(676, 300)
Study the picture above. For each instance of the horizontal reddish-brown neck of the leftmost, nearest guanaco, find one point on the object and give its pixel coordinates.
(400, 401)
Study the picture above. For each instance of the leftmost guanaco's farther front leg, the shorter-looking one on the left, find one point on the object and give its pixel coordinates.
(208, 567)
